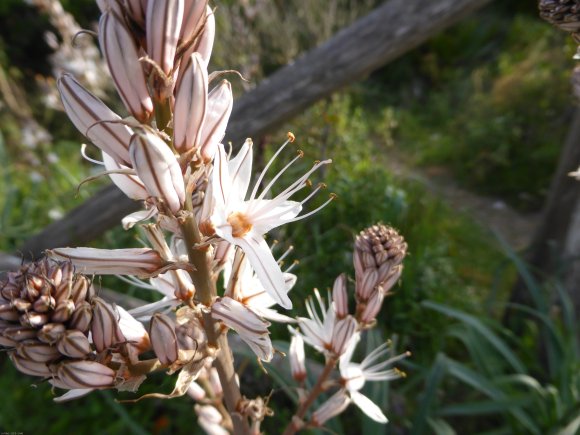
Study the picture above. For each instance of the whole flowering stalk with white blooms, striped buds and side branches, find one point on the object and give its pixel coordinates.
(205, 222)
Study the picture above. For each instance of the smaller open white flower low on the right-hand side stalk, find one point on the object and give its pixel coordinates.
(354, 376)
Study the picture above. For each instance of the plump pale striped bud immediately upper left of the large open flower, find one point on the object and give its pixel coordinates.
(158, 169)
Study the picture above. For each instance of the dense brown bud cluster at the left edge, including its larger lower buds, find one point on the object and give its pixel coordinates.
(46, 314)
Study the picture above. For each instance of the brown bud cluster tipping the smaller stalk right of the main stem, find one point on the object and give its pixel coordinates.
(378, 256)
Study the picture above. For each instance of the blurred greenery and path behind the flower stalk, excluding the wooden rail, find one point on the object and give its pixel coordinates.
(456, 143)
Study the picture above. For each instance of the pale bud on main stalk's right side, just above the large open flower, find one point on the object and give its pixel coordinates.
(219, 108)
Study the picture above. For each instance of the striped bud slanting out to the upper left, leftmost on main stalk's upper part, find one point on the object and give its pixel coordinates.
(94, 119)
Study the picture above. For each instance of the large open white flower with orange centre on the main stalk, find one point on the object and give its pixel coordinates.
(243, 222)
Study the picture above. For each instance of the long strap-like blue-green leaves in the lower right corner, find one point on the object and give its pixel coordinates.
(503, 384)
